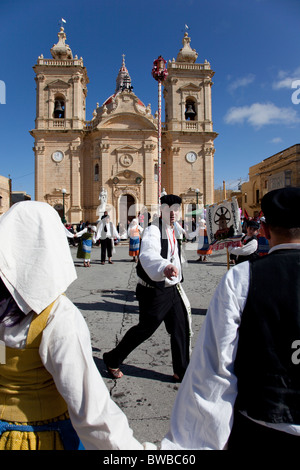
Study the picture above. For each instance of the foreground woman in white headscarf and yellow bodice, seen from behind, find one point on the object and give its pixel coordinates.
(51, 393)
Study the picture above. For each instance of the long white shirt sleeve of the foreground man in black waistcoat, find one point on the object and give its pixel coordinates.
(203, 411)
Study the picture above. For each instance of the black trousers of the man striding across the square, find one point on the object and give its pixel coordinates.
(157, 306)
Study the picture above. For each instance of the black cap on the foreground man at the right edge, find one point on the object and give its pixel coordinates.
(281, 207)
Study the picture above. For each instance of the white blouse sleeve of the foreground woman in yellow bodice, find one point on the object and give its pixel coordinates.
(66, 353)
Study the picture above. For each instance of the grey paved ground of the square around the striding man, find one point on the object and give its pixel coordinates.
(106, 297)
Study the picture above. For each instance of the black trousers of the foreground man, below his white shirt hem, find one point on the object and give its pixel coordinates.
(248, 435)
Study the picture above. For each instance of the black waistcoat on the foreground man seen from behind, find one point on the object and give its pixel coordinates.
(268, 377)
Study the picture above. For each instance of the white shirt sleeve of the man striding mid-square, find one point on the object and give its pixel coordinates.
(150, 258)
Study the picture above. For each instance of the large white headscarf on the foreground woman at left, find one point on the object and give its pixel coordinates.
(35, 260)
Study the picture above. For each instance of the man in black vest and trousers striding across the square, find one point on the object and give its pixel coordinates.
(158, 292)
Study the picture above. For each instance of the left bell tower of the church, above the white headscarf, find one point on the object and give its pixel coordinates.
(61, 89)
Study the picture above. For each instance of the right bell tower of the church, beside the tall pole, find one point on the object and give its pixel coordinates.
(188, 136)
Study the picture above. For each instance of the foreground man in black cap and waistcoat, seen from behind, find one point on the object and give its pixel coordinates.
(242, 388)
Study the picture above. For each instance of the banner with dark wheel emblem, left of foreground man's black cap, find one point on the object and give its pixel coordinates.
(223, 224)
